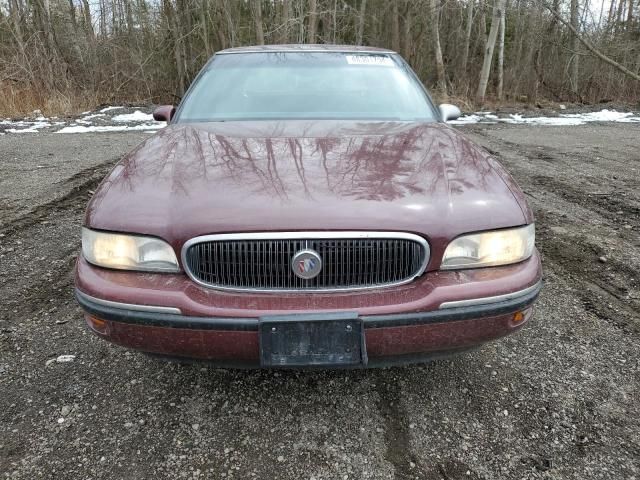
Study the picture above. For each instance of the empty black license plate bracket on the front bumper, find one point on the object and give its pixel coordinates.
(314, 340)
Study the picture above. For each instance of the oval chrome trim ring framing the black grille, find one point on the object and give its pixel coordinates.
(308, 235)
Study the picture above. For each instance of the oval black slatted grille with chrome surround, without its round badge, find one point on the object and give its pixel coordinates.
(350, 260)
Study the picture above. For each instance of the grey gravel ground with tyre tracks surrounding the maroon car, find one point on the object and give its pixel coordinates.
(559, 399)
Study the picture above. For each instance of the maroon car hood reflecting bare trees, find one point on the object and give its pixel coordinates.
(195, 179)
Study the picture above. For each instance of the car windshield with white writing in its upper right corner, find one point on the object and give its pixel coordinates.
(305, 85)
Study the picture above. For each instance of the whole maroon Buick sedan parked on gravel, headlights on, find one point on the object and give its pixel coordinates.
(307, 206)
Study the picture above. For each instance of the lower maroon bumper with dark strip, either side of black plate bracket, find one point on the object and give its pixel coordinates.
(389, 338)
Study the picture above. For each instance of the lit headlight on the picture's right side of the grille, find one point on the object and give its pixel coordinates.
(486, 249)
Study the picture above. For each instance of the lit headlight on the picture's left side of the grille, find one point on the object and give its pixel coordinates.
(128, 252)
